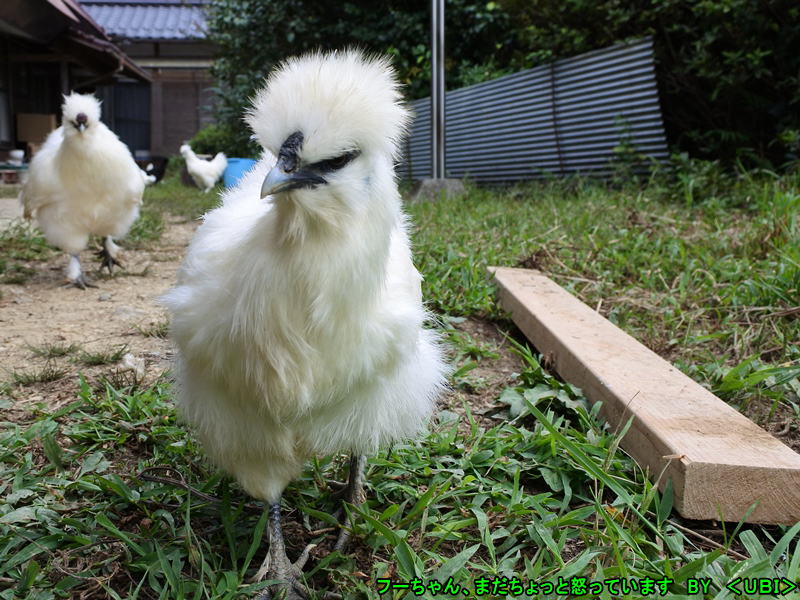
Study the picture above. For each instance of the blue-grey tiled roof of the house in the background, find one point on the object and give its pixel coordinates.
(149, 20)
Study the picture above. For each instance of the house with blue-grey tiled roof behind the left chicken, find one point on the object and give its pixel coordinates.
(167, 39)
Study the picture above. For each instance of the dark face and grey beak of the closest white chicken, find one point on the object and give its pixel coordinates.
(292, 172)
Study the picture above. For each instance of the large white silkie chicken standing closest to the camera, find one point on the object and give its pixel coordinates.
(298, 313)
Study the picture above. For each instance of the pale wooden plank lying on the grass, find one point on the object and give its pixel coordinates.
(723, 462)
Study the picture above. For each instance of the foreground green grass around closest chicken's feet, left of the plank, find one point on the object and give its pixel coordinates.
(545, 493)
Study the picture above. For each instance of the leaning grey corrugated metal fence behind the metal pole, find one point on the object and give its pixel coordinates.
(563, 118)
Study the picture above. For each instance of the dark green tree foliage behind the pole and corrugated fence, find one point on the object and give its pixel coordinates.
(728, 70)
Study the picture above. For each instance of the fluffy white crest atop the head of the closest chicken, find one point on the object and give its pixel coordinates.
(340, 100)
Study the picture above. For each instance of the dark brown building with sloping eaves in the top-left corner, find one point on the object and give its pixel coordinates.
(47, 48)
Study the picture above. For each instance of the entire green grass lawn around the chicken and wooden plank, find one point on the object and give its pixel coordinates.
(704, 269)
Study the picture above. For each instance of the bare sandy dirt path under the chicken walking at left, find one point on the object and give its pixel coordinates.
(120, 312)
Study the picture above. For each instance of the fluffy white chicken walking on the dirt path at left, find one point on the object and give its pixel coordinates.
(83, 181)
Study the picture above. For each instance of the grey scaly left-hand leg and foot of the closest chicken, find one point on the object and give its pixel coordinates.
(277, 566)
